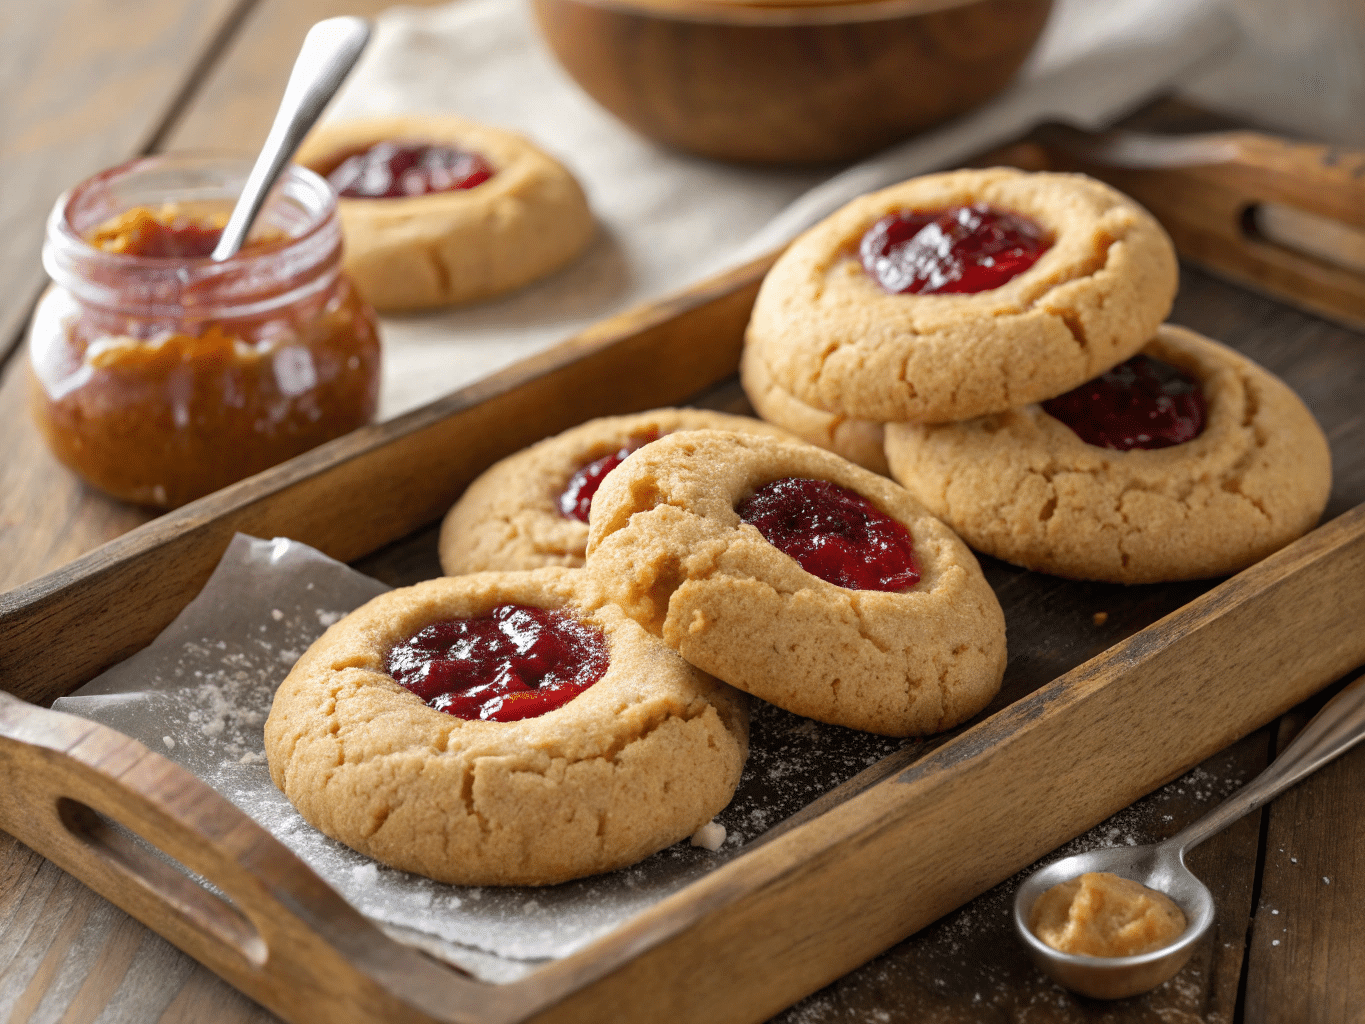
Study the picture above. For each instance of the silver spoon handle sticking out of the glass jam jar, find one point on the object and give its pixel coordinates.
(328, 54)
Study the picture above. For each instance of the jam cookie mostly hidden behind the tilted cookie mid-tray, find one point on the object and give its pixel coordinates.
(532, 509)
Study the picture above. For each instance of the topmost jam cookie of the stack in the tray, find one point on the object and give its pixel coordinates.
(960, 294)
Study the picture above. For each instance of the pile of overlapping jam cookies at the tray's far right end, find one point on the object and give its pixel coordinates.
(1001, 335)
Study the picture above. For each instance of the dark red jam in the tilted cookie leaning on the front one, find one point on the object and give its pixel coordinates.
(833, 533)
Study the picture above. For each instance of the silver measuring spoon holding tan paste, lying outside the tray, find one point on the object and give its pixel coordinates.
(1333, 731)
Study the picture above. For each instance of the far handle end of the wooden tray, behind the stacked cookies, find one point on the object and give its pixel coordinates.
(1284, 218)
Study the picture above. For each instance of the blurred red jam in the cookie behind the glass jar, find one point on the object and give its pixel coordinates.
(397, 170)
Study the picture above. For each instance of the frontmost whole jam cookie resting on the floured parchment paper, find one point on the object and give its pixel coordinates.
(503, 730)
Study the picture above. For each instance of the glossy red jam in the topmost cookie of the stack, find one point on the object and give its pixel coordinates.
(963, 249)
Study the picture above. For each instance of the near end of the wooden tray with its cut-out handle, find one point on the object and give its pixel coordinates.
(281, 935)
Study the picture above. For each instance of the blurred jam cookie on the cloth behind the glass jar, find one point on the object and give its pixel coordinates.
(440, 211)
